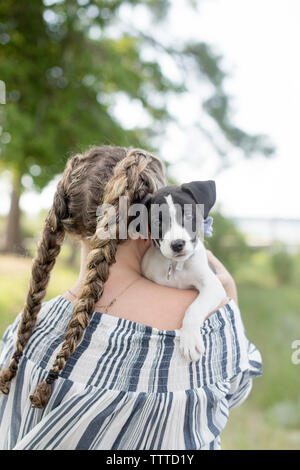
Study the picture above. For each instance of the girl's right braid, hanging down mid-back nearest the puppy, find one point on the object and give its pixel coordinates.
(133, 178)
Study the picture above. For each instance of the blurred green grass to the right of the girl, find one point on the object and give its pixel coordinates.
(270, 418)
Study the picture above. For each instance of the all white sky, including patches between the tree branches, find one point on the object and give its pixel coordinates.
(259, 40)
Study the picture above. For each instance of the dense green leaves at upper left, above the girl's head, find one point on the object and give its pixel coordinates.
(60, 83)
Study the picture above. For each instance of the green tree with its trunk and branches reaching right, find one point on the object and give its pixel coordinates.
(64, 69)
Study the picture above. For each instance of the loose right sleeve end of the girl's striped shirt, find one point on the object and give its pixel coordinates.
(241, 383)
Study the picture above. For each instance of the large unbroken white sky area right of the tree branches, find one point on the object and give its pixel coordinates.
(260, 41)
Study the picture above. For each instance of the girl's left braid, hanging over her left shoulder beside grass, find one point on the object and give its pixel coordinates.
(47, 251)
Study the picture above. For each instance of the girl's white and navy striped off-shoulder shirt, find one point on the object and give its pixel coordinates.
(126, 386)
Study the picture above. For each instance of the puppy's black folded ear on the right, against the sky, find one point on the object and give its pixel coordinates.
(203, 192)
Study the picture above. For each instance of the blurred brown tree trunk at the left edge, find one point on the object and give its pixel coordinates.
(13, 236)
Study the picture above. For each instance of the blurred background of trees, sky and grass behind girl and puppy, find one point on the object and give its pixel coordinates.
(212, 87)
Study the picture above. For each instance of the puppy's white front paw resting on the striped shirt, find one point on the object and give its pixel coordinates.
(191, 342)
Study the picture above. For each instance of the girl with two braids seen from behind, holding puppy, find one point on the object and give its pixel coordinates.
(99, 367)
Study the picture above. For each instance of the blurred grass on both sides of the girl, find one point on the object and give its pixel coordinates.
(270, 418)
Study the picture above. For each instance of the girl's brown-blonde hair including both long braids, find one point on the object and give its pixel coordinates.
(100, 176)
